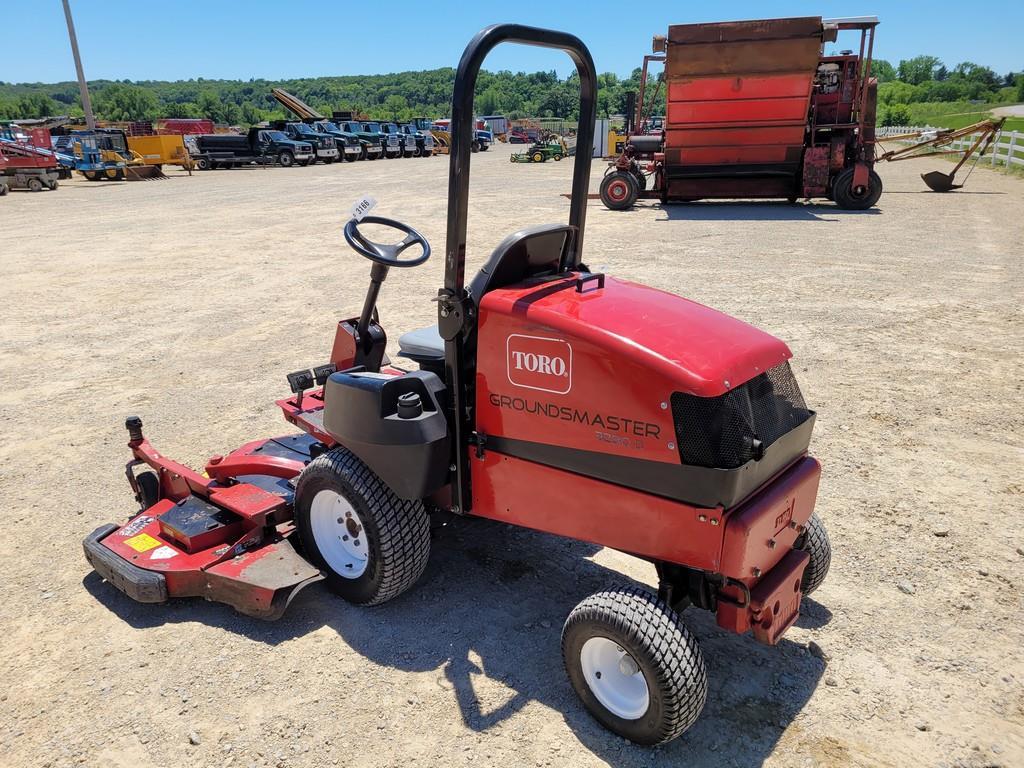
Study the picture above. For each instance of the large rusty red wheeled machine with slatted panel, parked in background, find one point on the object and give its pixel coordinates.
(756, 110)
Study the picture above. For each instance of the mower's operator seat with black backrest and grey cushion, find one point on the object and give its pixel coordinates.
(532, 252)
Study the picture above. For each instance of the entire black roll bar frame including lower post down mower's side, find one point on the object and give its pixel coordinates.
(455, 310)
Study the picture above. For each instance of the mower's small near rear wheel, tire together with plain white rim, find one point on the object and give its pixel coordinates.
(634, 664)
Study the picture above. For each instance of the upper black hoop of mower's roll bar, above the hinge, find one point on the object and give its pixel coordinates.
(463, 133)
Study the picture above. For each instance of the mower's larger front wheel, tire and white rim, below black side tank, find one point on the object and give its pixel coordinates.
(371, 545)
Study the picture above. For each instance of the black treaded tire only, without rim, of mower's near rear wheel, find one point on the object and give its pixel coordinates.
(661, 645)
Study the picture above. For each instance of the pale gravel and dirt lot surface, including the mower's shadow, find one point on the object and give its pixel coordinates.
(187, 302)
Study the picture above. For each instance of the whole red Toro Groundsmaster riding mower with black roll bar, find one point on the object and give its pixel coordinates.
(547, 397)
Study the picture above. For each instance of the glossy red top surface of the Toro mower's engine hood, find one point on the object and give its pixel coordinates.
(705, 352)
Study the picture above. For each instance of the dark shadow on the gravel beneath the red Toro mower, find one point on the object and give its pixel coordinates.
(491, 607)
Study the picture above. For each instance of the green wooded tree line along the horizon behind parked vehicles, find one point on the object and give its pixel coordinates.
(407, 95)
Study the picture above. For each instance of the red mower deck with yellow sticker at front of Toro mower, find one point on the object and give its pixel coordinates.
(219, 542)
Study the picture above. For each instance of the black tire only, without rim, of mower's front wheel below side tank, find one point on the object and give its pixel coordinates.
(398, 532)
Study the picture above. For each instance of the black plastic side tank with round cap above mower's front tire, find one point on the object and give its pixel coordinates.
(411, 455)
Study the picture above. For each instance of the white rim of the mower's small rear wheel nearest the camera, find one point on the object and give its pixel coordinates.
(615, 678)
